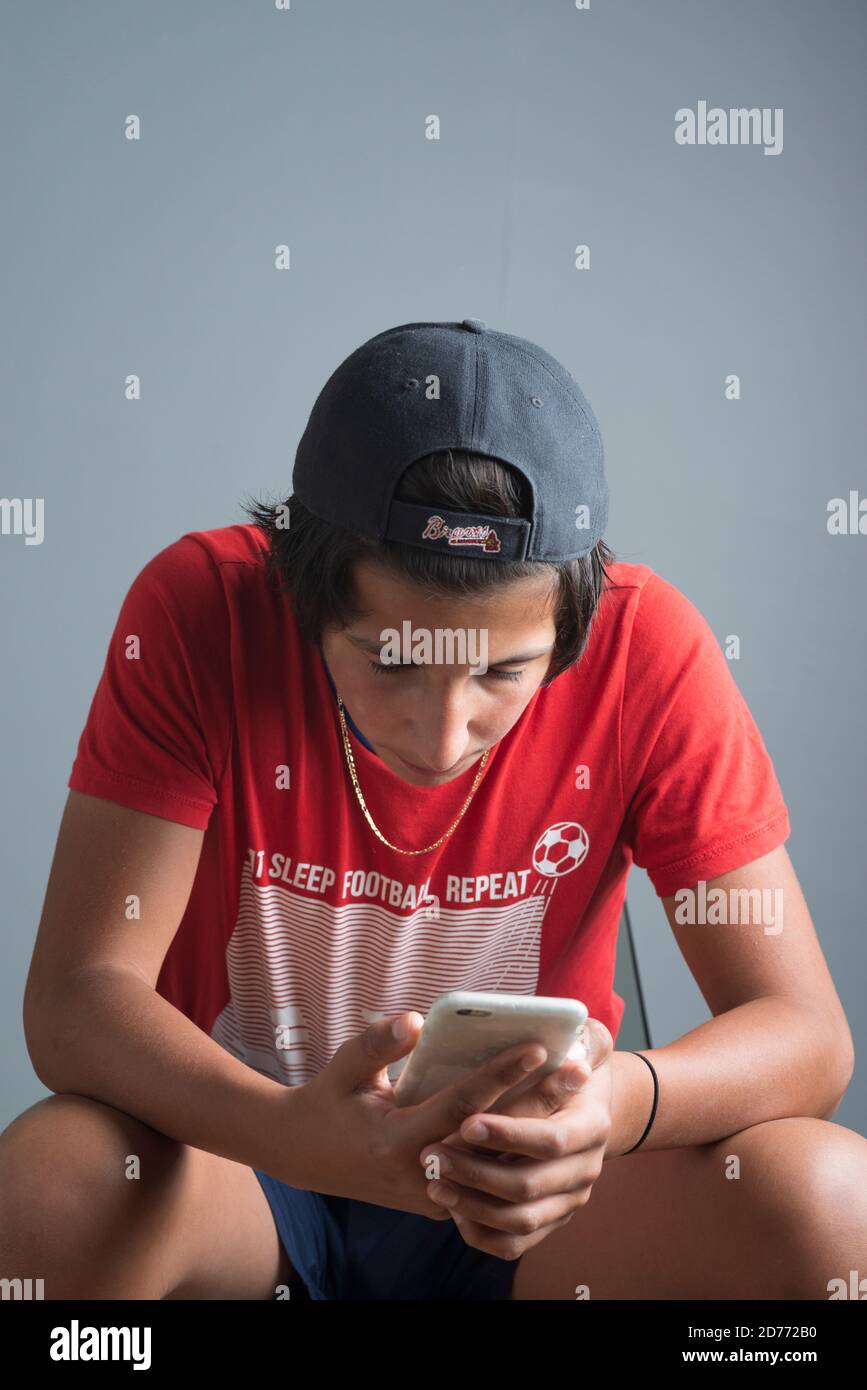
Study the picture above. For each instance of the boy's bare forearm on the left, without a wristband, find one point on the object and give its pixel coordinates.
(115, 1039)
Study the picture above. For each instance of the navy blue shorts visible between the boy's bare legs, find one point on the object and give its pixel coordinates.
(344, 1249)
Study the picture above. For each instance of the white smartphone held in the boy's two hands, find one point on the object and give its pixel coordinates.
(465, 1029)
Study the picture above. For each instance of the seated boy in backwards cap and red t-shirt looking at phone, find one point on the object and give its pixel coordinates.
(281, 844)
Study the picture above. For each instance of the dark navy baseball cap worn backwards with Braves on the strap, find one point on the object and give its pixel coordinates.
(423, 389)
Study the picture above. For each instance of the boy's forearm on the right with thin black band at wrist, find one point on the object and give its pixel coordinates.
(765, 1060)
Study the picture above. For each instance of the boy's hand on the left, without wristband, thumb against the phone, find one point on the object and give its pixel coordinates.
(347, 1138)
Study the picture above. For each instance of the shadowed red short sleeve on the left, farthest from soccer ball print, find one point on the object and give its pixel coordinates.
(158, 730)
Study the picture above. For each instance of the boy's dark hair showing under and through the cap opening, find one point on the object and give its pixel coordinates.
(313, 561)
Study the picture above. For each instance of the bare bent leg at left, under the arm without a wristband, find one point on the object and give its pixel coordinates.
(192, 1227)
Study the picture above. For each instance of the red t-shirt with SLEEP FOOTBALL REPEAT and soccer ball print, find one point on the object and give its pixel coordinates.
(302, 926)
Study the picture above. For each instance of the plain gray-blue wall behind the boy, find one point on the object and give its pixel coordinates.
(306, 127)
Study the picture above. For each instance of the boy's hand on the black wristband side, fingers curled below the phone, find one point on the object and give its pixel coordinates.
(540, 1160)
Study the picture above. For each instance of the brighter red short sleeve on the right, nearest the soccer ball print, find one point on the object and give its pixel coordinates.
(701, 790)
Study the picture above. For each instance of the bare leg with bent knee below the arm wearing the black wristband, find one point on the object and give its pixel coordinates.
(670, 1224)
